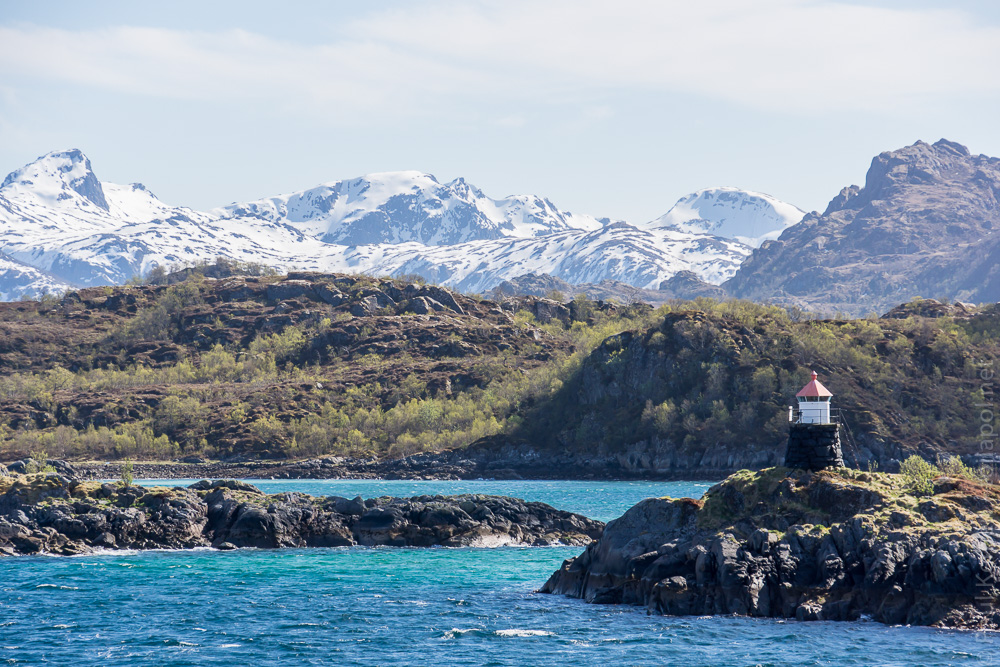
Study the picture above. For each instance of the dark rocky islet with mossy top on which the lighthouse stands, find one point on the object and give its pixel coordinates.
(830, 545)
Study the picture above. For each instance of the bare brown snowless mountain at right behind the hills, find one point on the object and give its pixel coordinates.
(926, 223)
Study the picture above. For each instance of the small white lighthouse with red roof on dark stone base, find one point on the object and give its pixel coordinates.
(813, 435)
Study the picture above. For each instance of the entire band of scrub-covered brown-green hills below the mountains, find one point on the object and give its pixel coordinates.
(306, 365)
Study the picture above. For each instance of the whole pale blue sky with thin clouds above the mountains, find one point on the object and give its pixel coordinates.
(612, 109)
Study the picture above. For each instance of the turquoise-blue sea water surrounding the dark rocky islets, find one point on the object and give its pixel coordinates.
(384, 606)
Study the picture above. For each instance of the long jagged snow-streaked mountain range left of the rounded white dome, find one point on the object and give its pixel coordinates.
(58, 220)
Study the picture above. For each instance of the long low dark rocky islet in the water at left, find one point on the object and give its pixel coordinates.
(50, 513)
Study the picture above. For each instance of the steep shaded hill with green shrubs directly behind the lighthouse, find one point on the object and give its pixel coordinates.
(708, 385)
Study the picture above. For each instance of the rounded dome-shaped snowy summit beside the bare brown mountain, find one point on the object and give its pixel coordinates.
(748, 217)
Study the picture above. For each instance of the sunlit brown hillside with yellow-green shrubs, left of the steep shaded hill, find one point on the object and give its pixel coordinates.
(281, 366)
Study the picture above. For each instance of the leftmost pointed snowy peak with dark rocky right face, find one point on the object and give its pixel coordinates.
(54, 175)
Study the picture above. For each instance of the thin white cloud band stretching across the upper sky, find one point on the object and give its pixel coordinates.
(800, 56)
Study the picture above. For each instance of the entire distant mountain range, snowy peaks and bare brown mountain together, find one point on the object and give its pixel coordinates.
(926, 223)
